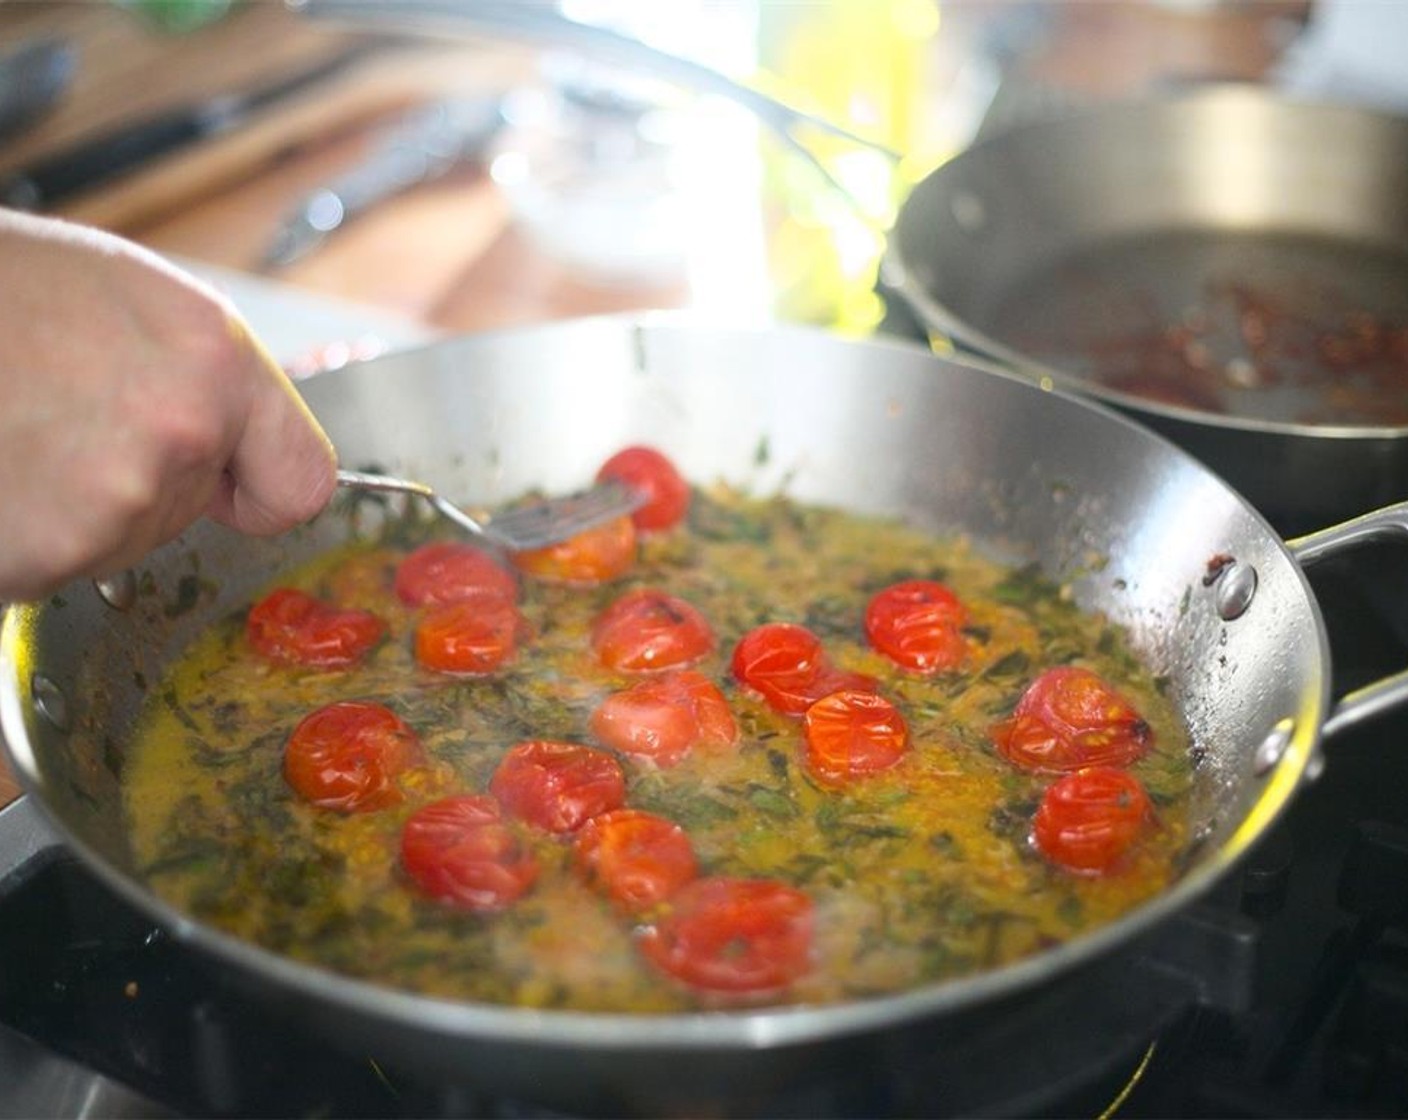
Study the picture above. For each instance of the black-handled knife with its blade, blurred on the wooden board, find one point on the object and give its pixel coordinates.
(95, 160)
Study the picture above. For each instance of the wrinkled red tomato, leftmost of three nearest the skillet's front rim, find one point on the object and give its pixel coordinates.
(461, 852)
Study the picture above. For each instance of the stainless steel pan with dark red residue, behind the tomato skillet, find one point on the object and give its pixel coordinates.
(1228, 266)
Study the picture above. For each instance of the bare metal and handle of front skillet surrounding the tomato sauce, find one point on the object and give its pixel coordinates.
(1136, 526)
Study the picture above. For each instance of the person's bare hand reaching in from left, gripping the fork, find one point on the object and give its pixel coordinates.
(133, 399)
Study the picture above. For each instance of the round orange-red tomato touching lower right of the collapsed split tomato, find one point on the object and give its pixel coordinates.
(851, 736)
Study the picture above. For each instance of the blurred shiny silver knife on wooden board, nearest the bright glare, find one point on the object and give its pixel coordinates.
(417, 149)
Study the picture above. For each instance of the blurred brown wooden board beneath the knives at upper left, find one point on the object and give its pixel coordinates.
(446, 253)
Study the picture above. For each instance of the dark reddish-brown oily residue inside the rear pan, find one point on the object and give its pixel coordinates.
(1275, 328)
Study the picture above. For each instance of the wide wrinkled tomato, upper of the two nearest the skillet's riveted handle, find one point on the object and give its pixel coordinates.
(1069, 719)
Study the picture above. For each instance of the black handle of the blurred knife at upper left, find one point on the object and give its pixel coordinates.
(91, 163)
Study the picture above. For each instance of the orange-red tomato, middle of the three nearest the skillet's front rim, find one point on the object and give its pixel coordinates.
(634, 857)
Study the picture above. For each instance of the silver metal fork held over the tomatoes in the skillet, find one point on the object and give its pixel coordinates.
(524, 528)
